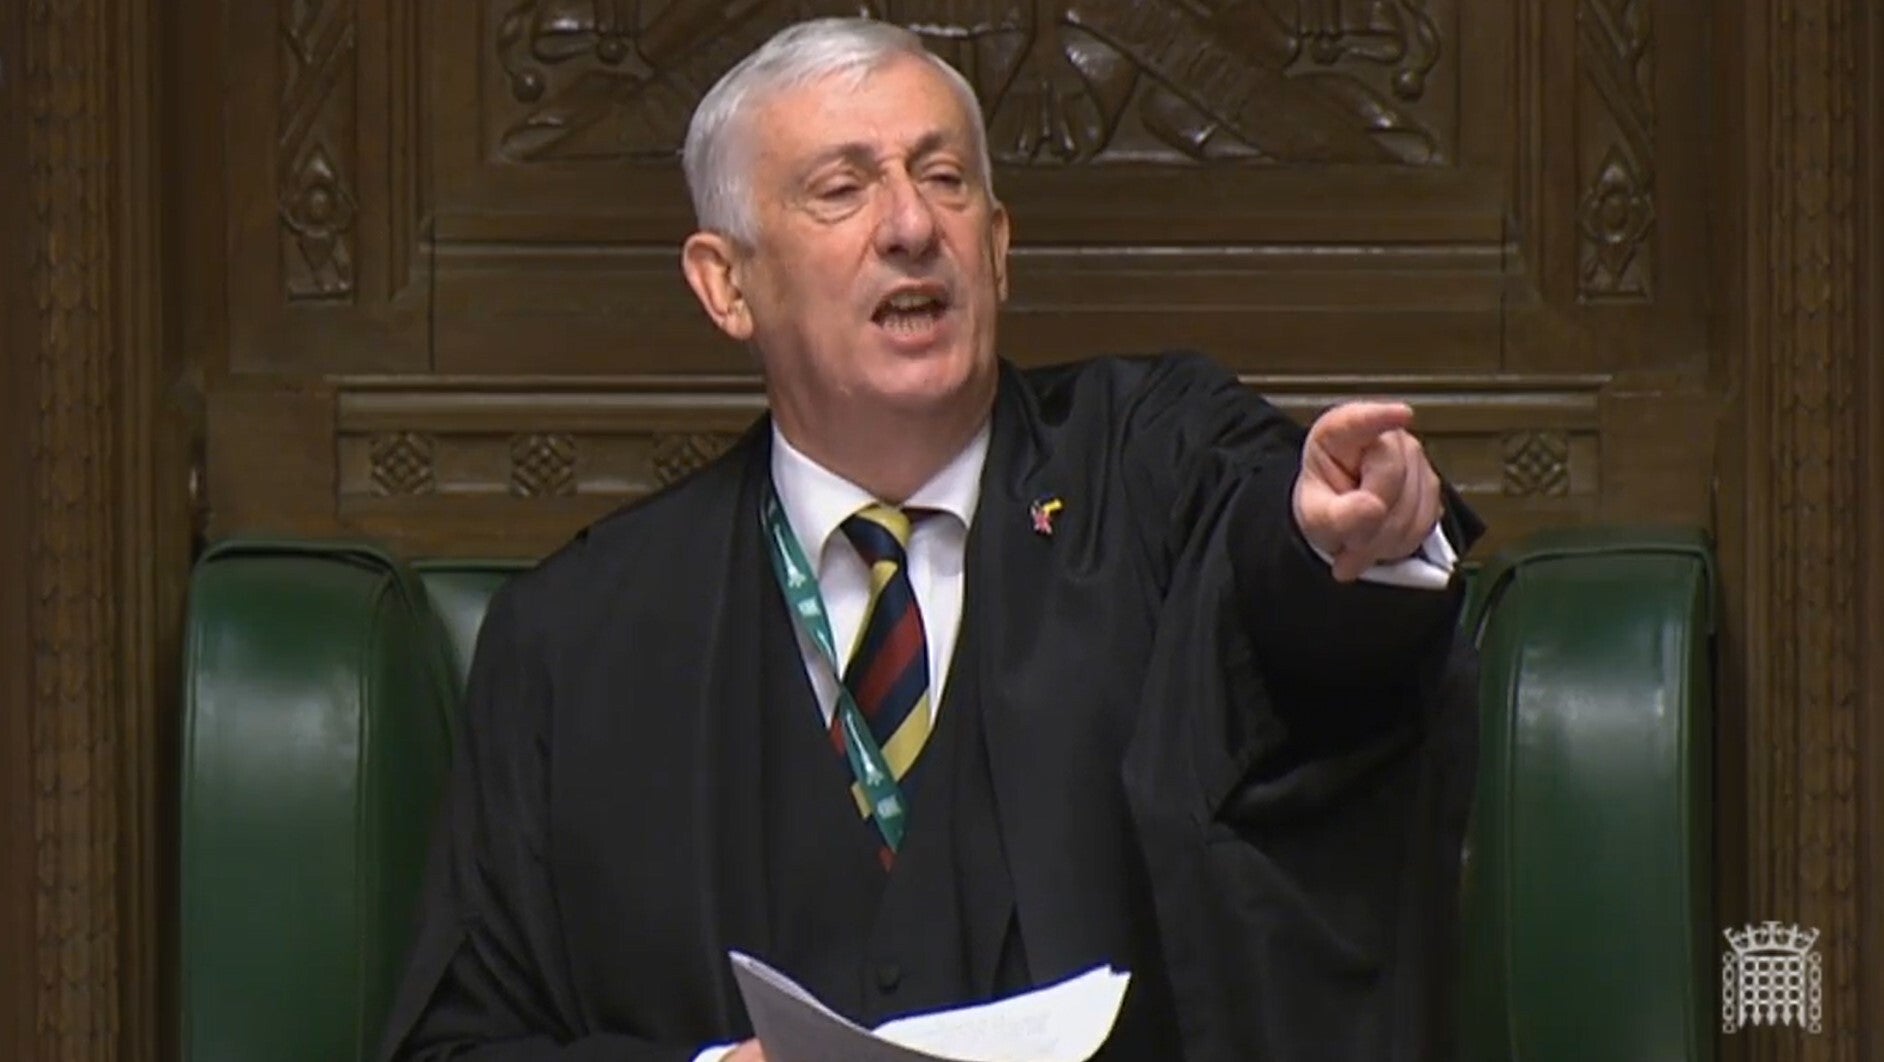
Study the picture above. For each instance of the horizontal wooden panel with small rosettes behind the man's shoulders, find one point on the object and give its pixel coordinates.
(478, 466)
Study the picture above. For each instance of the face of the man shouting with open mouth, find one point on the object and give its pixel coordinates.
(881, 259)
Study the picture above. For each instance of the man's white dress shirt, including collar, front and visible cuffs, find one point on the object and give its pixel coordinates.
(817, 502)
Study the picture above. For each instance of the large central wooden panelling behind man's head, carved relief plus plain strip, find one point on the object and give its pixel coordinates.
(1248, 138)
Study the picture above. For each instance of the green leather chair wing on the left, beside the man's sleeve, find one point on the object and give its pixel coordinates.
(317, 715)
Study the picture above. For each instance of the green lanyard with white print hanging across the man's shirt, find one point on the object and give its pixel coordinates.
(798, 581)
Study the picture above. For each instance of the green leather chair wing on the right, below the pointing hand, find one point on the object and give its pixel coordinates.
(1589, 929)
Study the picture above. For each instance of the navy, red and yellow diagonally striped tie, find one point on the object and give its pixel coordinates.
(888, 671)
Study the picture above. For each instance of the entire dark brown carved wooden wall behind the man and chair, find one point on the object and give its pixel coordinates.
(408, 270)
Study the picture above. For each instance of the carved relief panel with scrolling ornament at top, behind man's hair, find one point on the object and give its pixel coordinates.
(1062, 82)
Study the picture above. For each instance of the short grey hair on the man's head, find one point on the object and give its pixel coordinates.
(713, 159)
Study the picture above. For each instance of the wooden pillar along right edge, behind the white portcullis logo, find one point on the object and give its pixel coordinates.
(1802, 502)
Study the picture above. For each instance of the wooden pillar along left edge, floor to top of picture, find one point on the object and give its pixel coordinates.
(95, 543)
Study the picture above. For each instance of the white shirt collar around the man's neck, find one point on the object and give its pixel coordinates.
(817, 500)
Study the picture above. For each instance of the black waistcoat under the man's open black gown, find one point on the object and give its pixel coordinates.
(935, 931)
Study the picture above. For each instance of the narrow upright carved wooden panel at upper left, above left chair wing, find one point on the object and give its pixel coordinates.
(327, 202)
